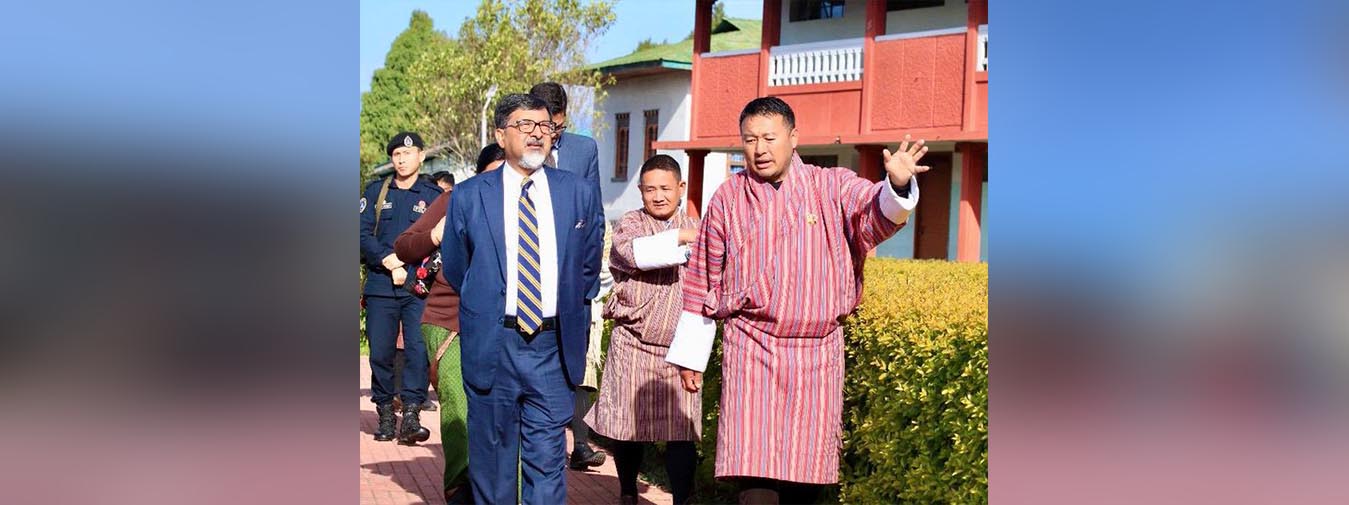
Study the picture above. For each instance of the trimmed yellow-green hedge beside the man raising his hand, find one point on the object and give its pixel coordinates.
(915, 415)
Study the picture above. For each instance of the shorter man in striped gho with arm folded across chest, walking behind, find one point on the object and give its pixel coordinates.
(641, 399)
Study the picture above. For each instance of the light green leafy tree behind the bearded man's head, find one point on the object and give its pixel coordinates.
(512, 45)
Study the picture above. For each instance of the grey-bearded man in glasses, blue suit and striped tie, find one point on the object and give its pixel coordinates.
(523, 249)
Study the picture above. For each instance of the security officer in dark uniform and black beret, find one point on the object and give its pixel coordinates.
(388, 207)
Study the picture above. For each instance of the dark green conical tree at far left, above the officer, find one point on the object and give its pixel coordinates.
(389, 106)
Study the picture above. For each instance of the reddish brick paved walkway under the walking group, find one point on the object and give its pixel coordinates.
(392, 473)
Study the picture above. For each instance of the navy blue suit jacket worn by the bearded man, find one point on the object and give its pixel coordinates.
(474, 253)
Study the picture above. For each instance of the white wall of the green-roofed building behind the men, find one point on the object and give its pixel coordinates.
(668, 94)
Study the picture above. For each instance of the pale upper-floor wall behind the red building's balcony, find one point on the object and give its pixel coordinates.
(853, 24)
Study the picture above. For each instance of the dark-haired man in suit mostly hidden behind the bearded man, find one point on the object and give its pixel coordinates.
(581, 156)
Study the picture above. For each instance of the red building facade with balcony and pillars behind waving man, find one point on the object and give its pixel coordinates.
(860, 76)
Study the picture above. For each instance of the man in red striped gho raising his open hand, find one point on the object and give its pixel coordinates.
(779, 259)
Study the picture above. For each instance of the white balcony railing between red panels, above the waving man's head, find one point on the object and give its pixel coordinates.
(817, 63)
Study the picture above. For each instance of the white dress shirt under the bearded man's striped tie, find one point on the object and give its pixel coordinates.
(539, 194)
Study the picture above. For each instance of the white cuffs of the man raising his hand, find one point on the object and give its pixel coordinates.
(694, 336)
